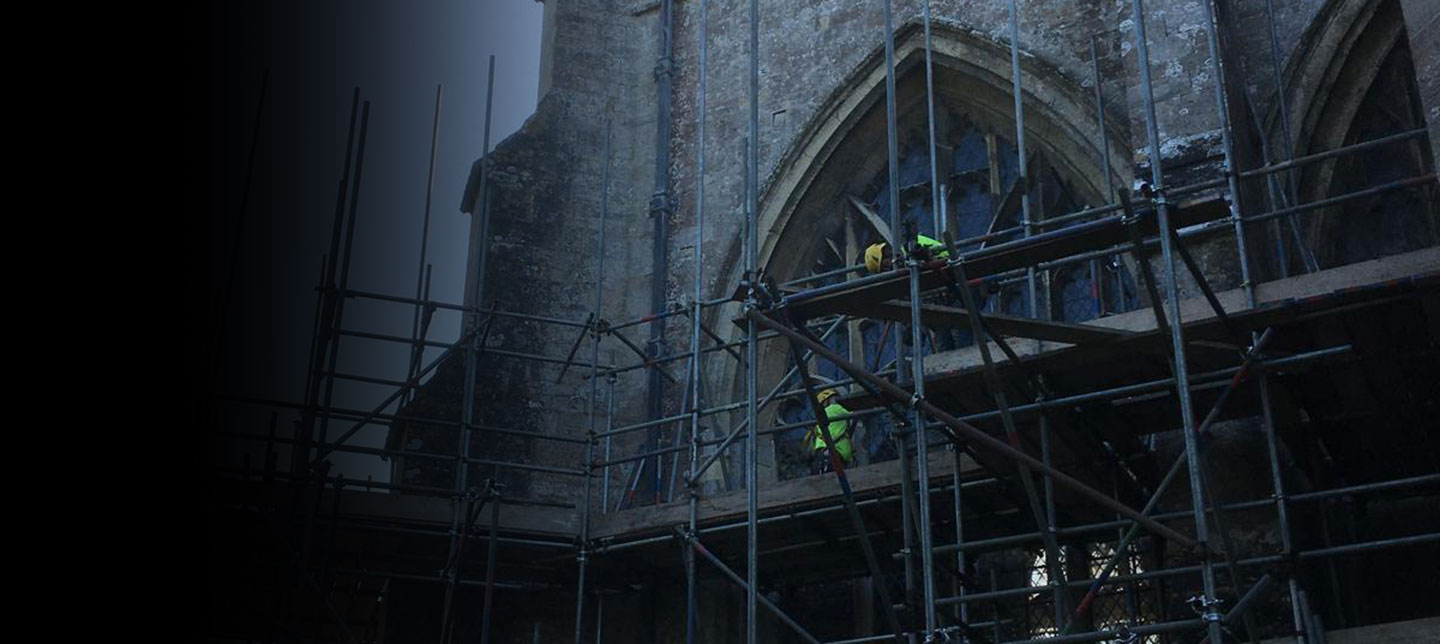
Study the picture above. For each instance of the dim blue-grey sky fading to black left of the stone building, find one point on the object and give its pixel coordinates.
(316, 54)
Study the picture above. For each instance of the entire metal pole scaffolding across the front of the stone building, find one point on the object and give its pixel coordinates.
(803, 319)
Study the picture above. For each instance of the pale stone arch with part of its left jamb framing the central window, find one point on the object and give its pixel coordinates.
(839, 143)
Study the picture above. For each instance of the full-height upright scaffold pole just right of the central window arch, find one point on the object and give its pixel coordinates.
(1212, 614)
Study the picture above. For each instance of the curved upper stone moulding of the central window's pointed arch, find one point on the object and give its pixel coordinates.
(1058, 113)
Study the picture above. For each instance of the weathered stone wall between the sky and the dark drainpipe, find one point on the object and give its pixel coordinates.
(546, 185)
